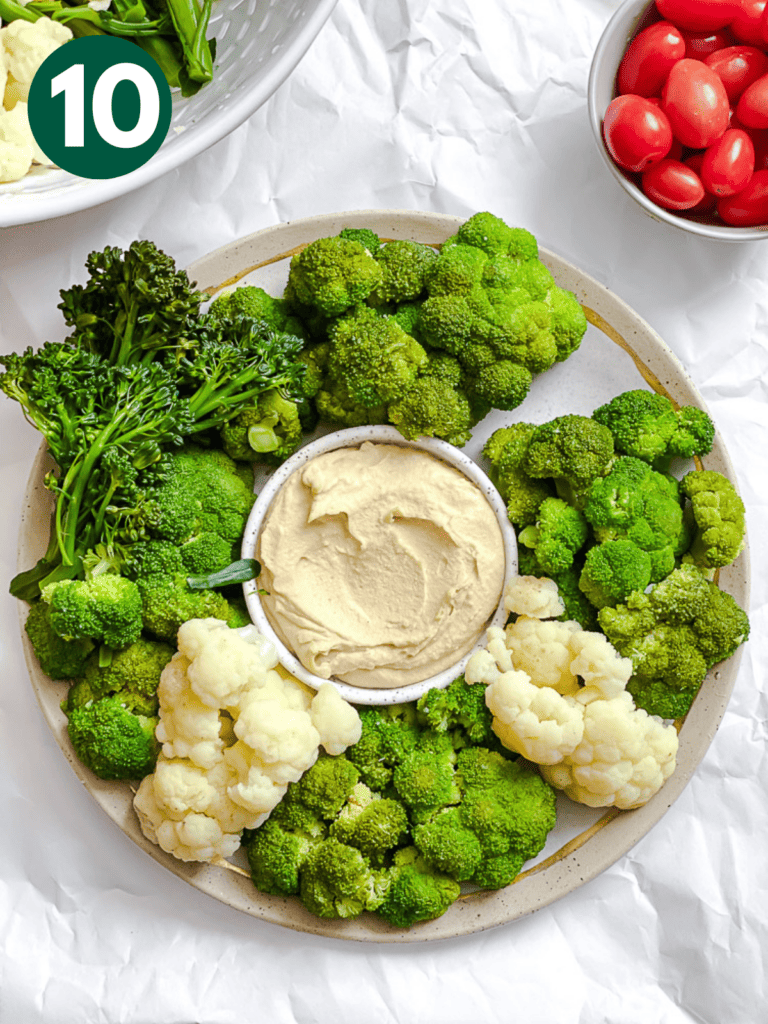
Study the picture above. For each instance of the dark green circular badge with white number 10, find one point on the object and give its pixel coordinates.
(100, 107)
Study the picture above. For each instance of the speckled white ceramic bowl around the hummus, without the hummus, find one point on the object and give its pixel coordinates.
(353, 438)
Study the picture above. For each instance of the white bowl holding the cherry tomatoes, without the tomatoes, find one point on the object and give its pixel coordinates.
(602, 90)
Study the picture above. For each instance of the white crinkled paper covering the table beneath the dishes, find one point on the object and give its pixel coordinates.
(449, 106)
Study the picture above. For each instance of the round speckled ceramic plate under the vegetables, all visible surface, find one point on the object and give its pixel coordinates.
(620, 352)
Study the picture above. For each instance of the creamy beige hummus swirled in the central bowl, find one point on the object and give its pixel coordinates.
(382, 565)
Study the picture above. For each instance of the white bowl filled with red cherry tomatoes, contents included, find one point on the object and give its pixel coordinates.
(678, 102)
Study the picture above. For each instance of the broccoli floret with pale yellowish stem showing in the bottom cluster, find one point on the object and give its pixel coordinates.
(373, 825)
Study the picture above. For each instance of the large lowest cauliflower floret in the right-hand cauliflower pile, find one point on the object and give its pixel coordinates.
(625, 756)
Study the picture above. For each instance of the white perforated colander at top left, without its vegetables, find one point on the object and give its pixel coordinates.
(259, 45)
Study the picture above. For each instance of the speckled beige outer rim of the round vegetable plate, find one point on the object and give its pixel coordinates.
(601, 845)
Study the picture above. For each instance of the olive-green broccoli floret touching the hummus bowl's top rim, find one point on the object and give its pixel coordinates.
(432, 408)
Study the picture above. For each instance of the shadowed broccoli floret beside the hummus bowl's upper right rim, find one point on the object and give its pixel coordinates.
(524, 495)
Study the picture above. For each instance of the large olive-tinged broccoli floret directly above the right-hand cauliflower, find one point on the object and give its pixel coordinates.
(674, 634)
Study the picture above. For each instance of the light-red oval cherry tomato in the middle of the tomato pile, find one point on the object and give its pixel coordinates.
(697, 104)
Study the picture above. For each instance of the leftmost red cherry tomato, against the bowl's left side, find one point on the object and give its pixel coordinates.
(636, 133)
